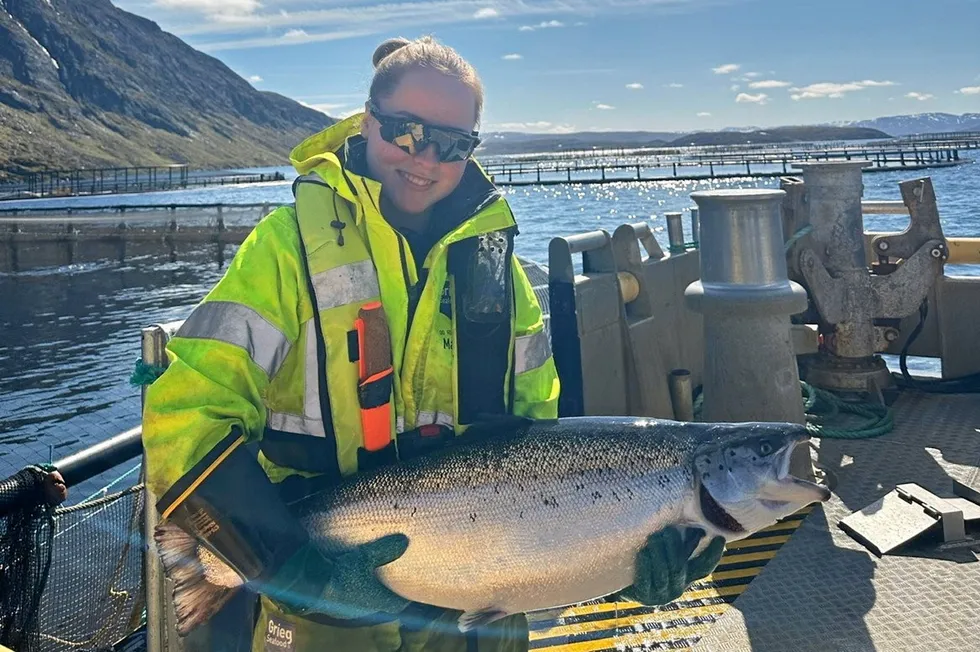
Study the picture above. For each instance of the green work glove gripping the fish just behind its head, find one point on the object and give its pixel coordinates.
(664, 567)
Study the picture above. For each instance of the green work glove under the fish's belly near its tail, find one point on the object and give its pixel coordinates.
(343, 587)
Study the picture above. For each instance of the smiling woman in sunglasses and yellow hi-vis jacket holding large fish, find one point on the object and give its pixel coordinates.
(380, 316)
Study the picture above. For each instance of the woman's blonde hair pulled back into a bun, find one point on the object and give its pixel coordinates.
(396, 56)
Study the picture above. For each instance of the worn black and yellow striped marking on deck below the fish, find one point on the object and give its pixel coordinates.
(602, 626)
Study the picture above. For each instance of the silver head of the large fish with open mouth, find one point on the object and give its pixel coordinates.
(742, 471)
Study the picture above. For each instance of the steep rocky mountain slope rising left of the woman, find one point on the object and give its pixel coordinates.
(84, 84)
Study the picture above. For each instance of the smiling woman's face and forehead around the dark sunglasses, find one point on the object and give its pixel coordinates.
(414, 183)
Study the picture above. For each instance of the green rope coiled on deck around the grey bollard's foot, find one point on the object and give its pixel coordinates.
(822, 406)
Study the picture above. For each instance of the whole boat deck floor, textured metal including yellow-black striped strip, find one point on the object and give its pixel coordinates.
(823, 591)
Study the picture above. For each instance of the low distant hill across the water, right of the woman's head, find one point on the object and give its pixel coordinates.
(522, 143)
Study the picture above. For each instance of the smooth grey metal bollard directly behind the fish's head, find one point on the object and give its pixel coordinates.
(750, 371)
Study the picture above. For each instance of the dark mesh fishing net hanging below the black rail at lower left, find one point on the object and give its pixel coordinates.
(71, 578)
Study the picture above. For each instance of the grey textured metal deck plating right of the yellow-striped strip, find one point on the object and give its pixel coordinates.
(825, 592)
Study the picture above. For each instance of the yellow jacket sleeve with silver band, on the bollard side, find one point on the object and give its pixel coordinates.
(536, 385)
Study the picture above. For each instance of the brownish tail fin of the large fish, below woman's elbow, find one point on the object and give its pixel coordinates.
(203, 584)
